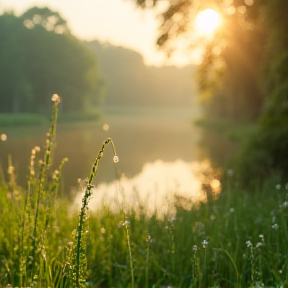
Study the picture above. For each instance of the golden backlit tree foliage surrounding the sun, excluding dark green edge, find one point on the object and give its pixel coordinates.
(228, 74)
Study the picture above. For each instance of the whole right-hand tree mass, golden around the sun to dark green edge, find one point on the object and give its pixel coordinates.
(243, 75)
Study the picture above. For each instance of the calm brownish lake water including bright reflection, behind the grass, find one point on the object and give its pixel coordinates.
(159, 150)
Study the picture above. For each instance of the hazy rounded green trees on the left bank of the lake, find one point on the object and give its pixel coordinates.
(39, 57)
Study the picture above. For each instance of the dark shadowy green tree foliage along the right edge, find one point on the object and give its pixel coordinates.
(267, 149)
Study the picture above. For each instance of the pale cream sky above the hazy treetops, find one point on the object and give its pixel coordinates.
(118, 22)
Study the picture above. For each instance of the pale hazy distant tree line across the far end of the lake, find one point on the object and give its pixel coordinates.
(129, 82)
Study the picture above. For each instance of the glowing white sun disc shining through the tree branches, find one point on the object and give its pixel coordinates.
(207, 21)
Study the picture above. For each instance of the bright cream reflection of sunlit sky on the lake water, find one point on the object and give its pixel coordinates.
(154, 188)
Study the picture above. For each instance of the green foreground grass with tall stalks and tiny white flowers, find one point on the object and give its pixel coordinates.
(235, 239)
